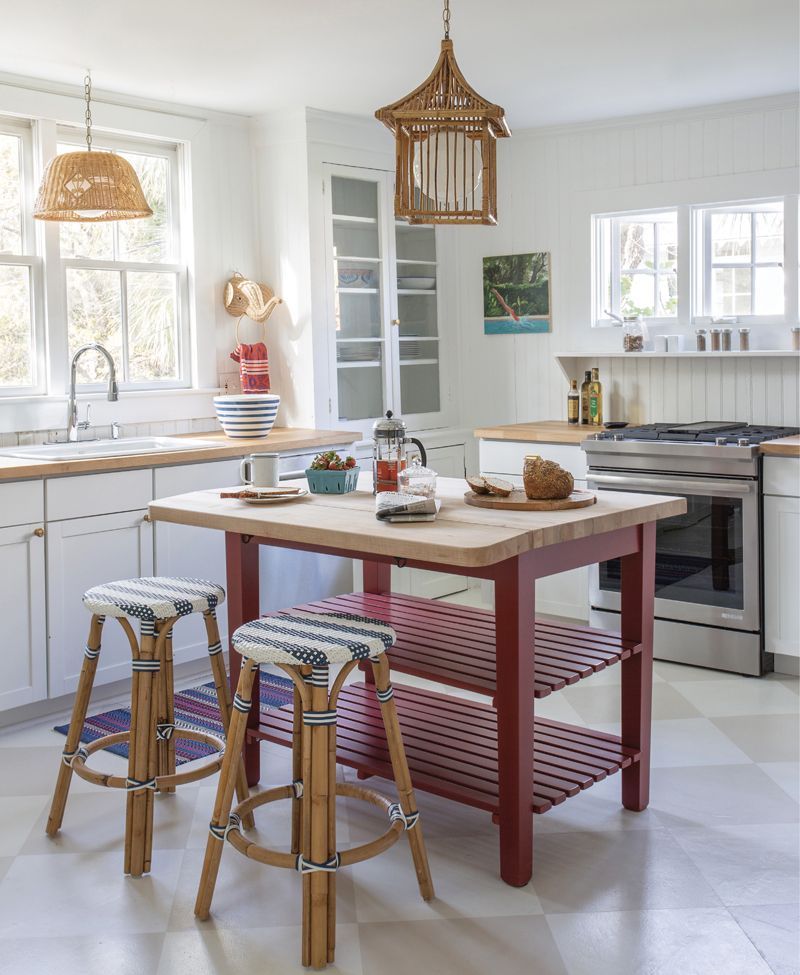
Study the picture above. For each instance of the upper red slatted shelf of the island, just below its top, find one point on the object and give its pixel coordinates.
(455, 645)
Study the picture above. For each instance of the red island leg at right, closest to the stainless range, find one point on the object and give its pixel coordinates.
(638, 587)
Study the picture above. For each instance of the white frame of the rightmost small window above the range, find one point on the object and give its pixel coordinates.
(705, 264)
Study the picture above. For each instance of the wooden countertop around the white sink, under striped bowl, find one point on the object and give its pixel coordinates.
(280, 439)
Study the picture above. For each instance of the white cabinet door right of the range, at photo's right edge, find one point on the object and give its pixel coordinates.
(782, 575)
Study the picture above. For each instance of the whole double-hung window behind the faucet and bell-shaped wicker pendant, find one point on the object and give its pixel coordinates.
(124, 282)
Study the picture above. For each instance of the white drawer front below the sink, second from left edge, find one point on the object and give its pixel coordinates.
(98, 494)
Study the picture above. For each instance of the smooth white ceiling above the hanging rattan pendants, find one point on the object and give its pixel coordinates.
(562, 61)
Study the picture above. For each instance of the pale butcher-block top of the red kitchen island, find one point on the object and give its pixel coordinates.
(460, 536)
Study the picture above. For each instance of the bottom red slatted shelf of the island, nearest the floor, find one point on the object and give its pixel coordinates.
(451, 746)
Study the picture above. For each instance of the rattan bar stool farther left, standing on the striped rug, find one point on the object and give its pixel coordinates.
(157, 602)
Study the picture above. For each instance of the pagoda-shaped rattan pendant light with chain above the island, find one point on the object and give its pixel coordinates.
(445, 136)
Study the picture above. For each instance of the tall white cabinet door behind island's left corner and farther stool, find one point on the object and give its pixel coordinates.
(183, 550)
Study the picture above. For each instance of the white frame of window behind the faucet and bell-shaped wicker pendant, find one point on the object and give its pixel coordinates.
(73, 135)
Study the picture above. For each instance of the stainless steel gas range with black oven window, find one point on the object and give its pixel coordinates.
(708, 561)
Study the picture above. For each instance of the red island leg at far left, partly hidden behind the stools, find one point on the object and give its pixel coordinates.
(241, 562)
